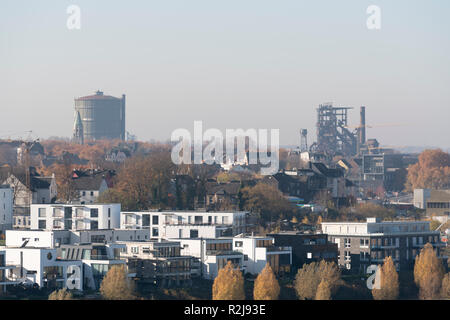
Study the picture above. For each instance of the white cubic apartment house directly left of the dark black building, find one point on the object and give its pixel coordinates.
(258, 251)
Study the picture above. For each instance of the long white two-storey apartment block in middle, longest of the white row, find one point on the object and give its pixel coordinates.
(186, 224)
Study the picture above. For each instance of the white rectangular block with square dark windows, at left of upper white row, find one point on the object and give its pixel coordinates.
(75, 216)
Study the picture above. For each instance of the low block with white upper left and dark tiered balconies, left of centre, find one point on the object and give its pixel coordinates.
(157, 263)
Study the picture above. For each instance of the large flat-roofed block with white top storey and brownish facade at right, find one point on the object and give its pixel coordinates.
(361, 244)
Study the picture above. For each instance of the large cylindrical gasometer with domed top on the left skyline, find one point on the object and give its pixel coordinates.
(99, 117)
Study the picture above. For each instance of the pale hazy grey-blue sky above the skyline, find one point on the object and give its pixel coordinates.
(231, 63)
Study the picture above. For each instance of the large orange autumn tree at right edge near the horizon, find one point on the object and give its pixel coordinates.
(431, 171)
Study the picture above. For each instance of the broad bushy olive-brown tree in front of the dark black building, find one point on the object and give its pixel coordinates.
(310, 275)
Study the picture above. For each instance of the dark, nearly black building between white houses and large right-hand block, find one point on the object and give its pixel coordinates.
(306, 247)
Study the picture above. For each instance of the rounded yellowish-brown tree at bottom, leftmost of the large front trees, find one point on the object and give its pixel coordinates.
(116, 285)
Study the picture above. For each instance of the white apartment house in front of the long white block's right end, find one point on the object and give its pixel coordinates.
(210, 255)
